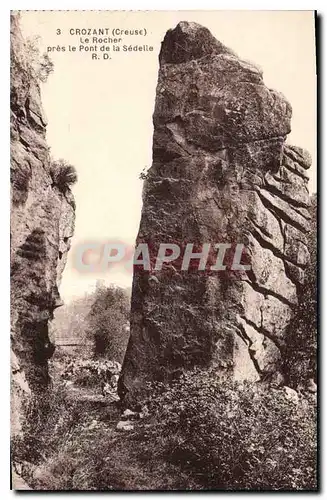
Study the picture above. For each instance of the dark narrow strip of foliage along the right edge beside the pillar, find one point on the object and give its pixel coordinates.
(302, 345)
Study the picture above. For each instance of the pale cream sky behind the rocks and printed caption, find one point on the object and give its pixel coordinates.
(100, 111)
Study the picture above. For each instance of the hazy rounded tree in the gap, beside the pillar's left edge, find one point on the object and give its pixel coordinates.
(108, 322)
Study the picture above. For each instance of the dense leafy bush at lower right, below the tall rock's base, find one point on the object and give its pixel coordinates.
(233, 437)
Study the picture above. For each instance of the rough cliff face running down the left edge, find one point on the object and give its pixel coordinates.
(42, 224)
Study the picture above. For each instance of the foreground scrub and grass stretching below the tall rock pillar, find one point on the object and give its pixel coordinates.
(200, 434)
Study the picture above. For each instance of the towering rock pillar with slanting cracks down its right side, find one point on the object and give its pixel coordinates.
(221, 172)
